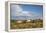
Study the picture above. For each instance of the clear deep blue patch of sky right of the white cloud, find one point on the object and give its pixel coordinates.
(37, 9)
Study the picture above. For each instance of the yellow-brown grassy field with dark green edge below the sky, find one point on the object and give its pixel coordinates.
(23, 25)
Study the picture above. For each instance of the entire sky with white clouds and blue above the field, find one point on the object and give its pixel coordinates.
(26, 11)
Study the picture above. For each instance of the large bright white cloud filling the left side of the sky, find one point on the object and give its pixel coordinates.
(18, 11)
